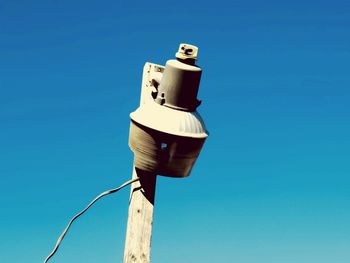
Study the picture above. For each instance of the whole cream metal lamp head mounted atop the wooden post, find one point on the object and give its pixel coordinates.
(166, 132)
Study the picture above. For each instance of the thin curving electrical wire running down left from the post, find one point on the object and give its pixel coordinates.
(111, 191)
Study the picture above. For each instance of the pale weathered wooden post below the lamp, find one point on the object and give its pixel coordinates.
(140, 218)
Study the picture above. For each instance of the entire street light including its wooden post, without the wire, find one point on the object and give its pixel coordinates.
(166, 136)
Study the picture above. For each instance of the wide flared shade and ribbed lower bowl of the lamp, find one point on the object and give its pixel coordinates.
(166, 141)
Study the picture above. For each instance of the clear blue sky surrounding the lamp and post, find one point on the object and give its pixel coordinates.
(272, 183)
